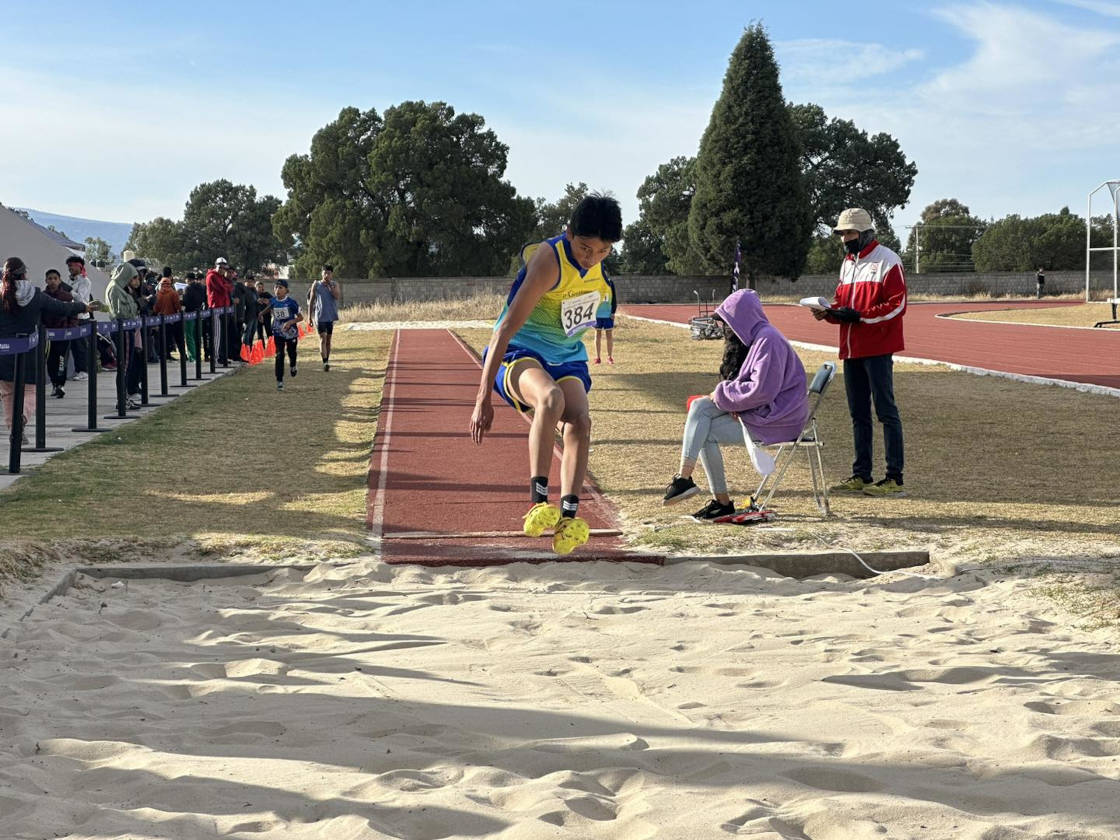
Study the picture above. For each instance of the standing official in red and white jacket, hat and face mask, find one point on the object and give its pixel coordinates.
(870, 306)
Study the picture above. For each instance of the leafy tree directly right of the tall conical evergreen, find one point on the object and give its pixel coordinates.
(845, 167)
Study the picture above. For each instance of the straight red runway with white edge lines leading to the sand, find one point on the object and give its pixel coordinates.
(435, 498)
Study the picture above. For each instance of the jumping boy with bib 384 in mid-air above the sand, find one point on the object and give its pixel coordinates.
(537, 360)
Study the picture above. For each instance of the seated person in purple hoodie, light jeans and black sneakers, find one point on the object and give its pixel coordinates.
(762, 388)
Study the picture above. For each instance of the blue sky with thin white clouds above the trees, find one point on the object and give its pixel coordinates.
(1009, 107)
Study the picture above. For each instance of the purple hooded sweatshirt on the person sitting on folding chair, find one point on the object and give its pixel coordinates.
(770, 394)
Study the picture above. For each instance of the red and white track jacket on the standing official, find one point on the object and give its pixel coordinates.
(873, 285)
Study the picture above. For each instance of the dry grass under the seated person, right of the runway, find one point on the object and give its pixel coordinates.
(988, 480)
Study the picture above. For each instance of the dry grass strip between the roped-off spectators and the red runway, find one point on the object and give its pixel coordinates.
(230, 469)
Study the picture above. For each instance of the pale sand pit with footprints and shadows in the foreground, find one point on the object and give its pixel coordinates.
(594, 701)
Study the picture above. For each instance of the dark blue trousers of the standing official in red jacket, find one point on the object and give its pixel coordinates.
(866, 380)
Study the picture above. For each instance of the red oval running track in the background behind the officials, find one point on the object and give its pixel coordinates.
(1075, 356)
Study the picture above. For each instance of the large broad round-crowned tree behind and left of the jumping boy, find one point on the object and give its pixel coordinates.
(417, 193)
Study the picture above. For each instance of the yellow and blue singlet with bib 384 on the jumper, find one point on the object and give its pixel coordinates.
(565, 312)
